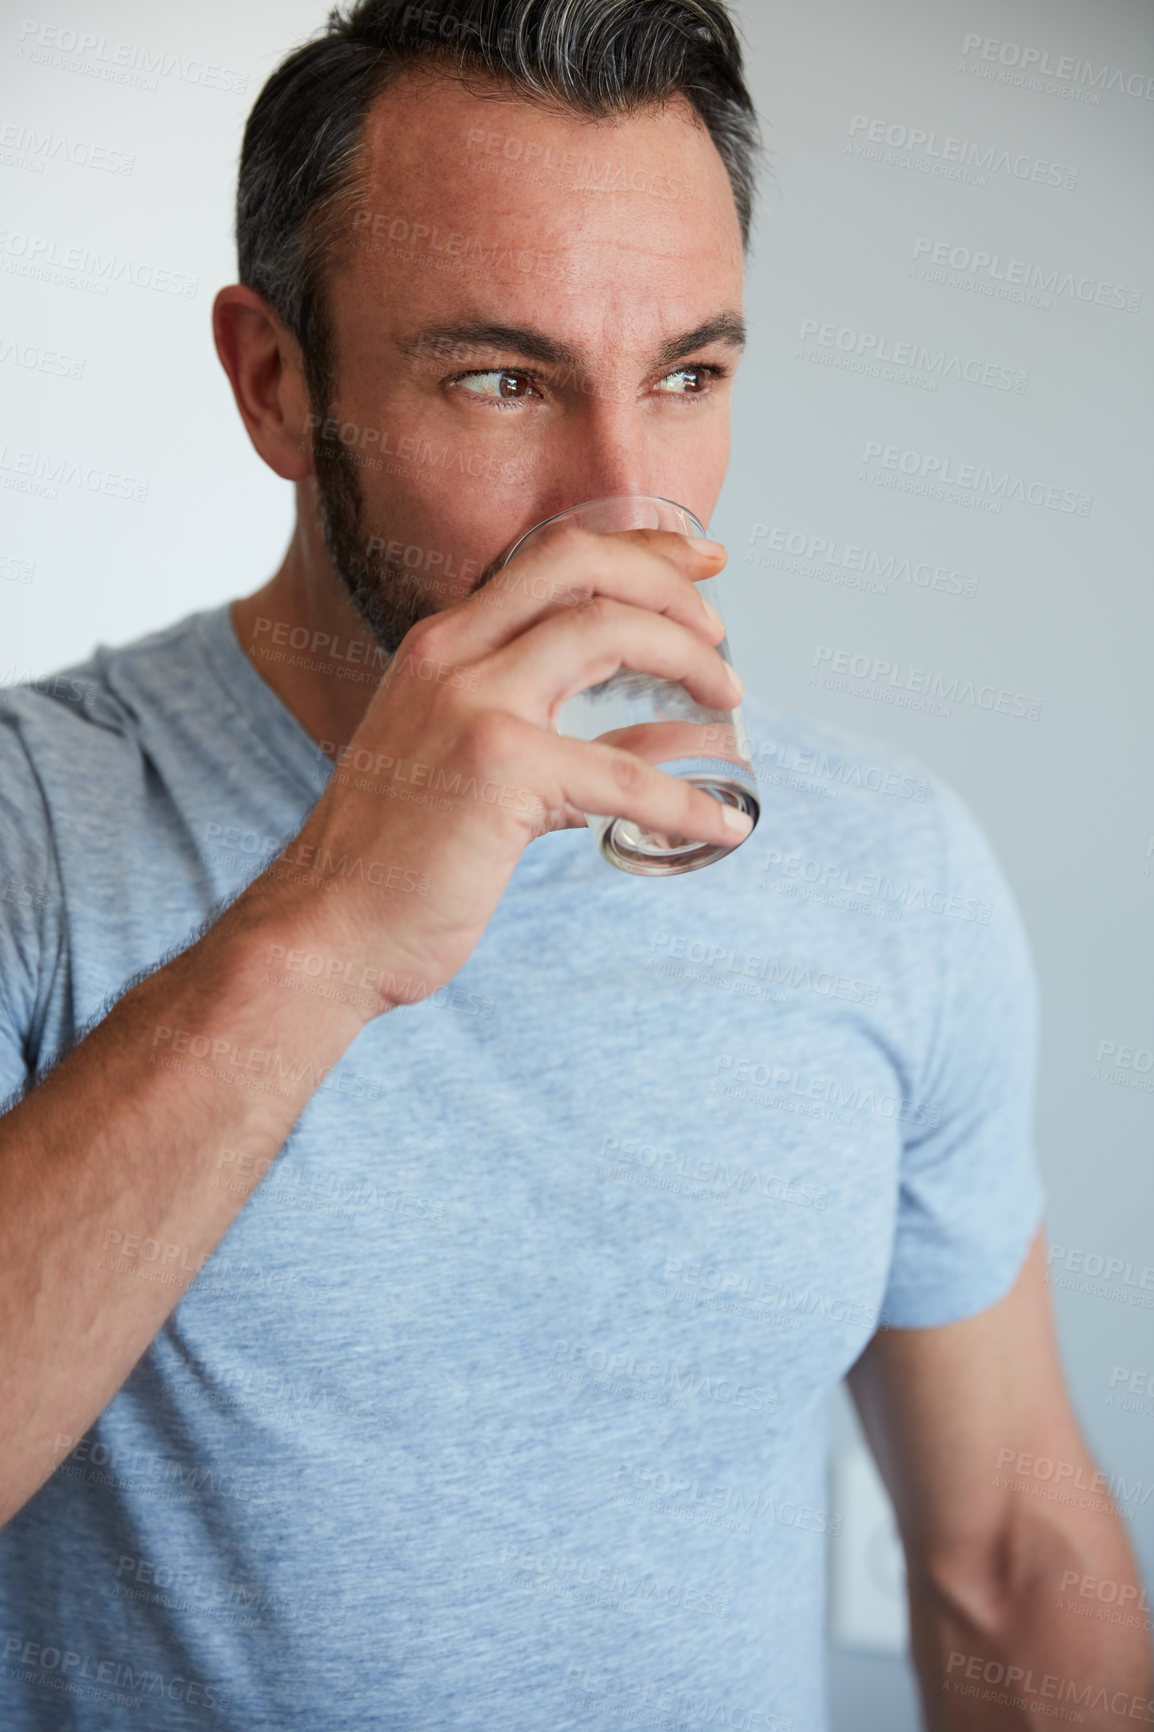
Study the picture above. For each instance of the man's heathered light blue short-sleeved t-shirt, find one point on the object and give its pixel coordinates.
(502, 1404)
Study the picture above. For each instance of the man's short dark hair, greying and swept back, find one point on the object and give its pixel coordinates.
(301, 158)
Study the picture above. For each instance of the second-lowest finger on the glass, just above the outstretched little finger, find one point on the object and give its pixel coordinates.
(569, 652)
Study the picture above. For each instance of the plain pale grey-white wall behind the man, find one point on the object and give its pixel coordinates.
(120, 134)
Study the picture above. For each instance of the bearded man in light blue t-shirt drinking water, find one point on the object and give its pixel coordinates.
(427, 1251)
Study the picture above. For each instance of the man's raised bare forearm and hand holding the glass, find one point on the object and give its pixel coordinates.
(141, 1135)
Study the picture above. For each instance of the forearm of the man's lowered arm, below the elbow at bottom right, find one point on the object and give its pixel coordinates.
(1041, 1650)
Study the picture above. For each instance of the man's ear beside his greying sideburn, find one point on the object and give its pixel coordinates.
(268, 377)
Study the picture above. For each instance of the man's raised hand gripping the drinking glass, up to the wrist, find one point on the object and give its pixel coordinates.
(451, 777)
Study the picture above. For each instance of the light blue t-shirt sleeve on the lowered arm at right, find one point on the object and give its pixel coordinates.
(971, 1192)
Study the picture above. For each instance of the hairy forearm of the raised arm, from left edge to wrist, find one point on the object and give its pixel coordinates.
(122, 1172)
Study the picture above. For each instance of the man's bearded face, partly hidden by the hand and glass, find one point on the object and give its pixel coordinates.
(529, 311)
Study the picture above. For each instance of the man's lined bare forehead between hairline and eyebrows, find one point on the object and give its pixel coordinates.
(488, 209)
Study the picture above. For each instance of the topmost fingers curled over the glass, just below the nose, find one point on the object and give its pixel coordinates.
(652, 569)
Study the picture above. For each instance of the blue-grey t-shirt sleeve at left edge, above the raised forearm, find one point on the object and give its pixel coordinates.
(30, 912)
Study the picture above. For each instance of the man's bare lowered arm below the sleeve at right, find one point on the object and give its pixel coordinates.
(999, 1556)
